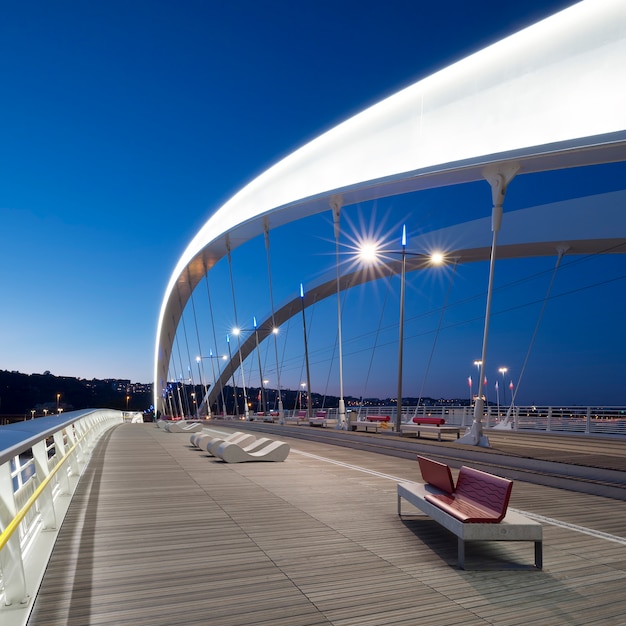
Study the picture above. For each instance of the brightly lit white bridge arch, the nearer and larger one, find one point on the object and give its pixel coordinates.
(548, 97)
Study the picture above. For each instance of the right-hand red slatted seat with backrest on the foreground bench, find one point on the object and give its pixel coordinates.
(478, 497)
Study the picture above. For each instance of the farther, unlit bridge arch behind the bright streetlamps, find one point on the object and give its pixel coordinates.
(563, 225)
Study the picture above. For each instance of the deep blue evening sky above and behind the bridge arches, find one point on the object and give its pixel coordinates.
(126, 124)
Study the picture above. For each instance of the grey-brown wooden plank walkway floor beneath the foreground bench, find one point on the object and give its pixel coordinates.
(161, 534)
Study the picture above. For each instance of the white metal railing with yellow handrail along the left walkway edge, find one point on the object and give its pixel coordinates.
(41, 461)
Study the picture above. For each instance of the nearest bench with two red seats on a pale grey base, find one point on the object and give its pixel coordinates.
(475, 510)
